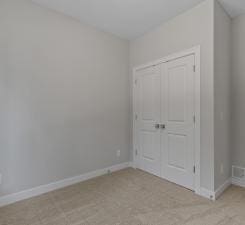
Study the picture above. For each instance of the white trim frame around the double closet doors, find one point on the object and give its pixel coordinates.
(192, 51)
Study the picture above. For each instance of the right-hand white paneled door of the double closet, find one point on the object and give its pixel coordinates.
(177, 116)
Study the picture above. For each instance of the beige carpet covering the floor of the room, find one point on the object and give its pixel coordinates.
(127, 197)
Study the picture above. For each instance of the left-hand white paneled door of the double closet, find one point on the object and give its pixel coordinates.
(149, 81)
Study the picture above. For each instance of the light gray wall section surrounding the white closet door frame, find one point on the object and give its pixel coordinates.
(194, 27)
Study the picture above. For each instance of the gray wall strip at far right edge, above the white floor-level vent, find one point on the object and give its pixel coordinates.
(238, 91)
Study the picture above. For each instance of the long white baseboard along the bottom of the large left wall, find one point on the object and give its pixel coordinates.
(12, 198)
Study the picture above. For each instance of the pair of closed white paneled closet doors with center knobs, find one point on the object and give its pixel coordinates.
(165, 120)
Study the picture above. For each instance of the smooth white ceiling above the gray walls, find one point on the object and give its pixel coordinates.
(130, 18)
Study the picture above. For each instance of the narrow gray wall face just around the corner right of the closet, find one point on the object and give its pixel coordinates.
(222, 95)
